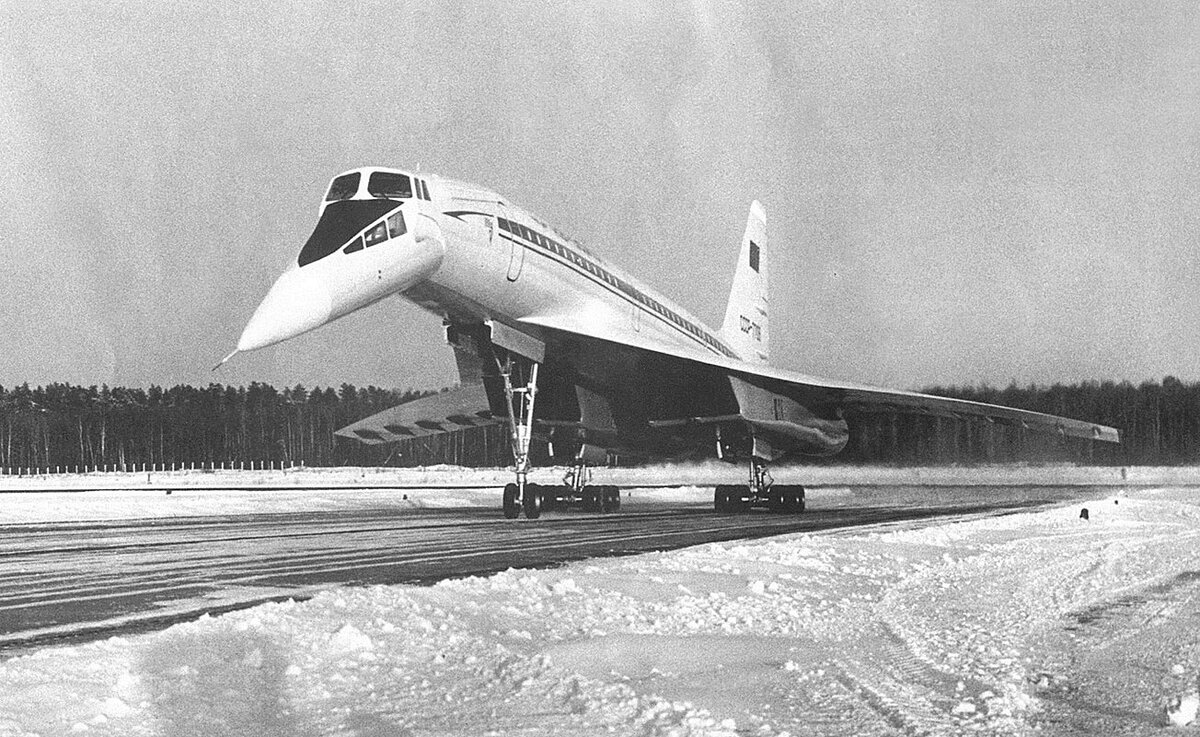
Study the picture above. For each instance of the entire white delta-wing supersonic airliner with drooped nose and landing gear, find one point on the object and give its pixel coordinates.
(560, 345)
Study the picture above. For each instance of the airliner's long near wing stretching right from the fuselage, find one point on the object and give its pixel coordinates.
(844, 394)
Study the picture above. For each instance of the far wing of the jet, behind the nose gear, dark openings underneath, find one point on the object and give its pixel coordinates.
(453, 410)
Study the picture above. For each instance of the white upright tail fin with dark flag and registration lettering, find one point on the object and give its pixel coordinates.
(746, 317)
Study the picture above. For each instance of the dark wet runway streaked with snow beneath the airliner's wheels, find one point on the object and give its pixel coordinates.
(70, 582)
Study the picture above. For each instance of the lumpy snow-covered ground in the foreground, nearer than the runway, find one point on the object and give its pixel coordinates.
(1001, 625)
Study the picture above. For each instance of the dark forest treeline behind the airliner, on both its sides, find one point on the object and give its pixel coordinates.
(73, 427)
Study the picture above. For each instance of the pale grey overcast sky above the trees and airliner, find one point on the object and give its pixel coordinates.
(957, 193)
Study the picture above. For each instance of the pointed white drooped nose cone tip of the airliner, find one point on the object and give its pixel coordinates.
(296, 304)
